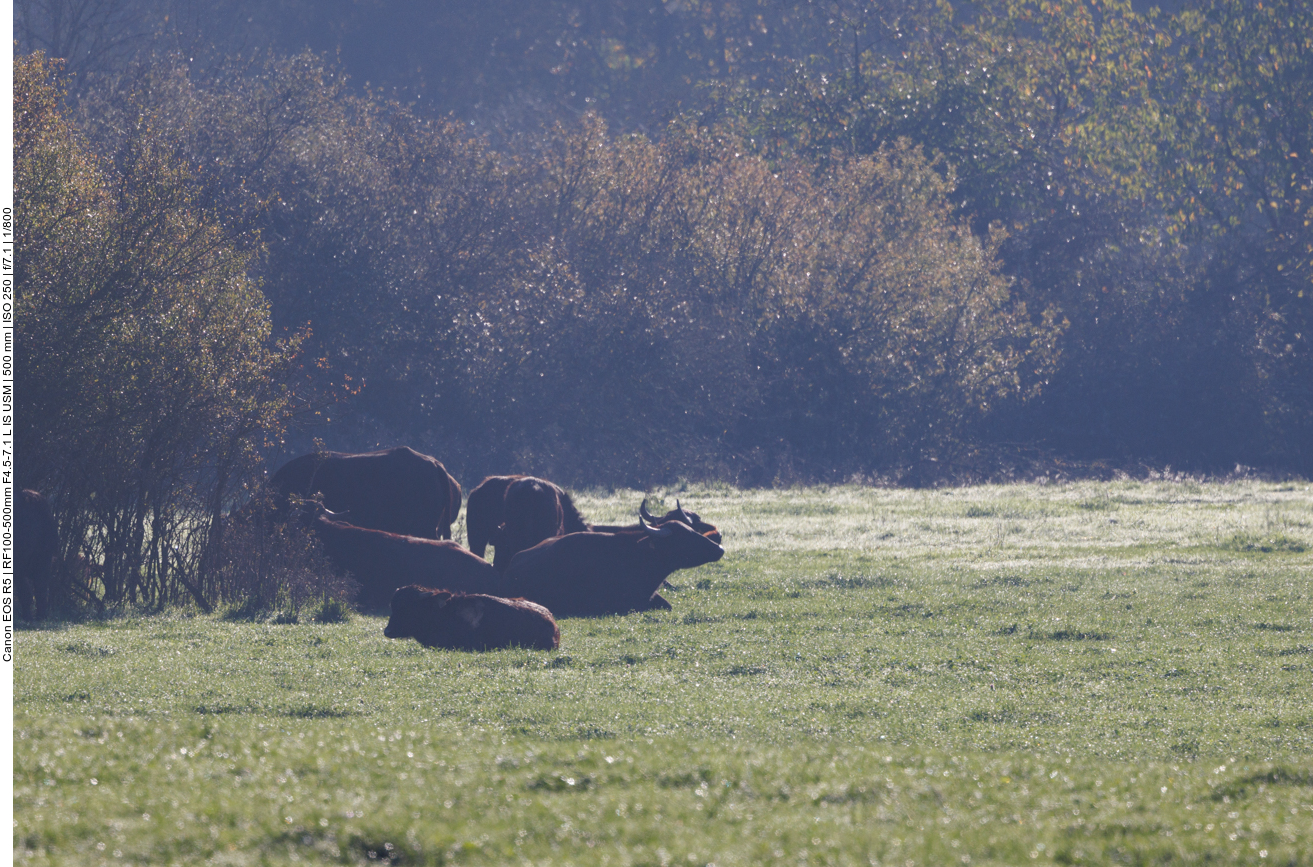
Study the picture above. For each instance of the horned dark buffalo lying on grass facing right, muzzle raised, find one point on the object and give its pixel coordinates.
(594, 575)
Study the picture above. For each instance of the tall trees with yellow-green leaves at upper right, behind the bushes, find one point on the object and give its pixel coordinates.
(1153, 179)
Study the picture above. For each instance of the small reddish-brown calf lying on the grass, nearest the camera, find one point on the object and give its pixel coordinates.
(471, 622)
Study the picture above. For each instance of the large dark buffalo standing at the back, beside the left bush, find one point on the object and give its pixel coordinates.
(397, 491)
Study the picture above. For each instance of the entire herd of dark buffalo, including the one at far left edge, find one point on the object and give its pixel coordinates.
(387, 518)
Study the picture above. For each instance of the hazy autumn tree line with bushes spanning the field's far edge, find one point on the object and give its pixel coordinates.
(874, 238)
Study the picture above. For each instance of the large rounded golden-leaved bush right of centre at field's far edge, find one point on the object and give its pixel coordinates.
(704, 307)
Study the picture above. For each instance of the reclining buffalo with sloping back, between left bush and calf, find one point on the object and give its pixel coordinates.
(383, 562)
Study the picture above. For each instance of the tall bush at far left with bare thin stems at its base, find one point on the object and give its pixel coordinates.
(146, 375)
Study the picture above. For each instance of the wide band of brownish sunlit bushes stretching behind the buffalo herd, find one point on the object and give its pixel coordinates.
(607, 309)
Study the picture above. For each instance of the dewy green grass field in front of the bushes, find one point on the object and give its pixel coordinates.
(1087, 673)
